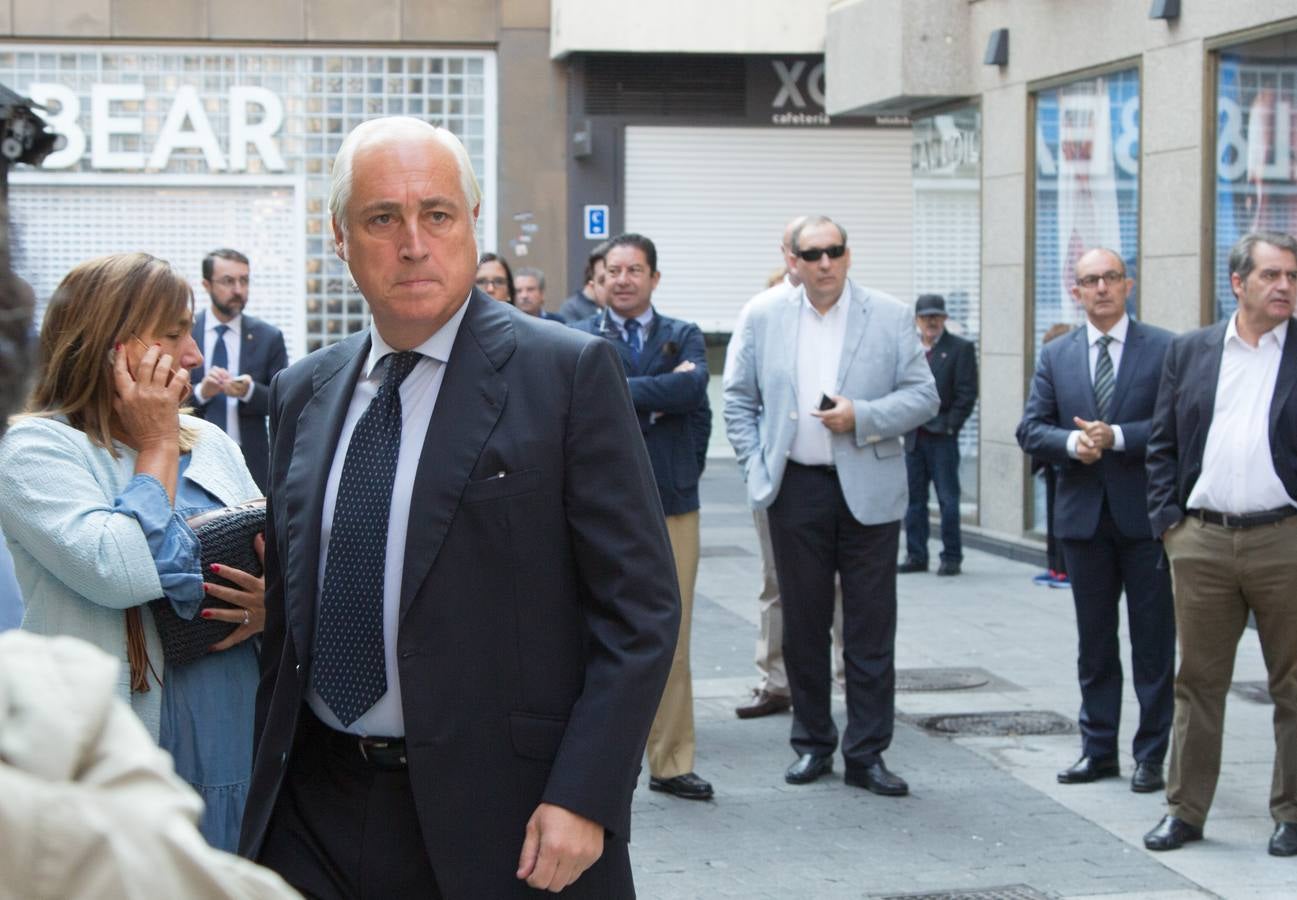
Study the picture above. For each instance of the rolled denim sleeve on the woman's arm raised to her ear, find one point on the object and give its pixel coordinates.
(176, 549)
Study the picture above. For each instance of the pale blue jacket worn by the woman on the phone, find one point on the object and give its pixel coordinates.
(80, 563)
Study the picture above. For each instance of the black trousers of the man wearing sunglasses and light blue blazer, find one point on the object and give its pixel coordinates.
(815, 539)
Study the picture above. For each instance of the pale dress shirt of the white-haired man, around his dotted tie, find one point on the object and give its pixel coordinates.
(418, 400)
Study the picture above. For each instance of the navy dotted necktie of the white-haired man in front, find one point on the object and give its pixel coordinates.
(351, 675)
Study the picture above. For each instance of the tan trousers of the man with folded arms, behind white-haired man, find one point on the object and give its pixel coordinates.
(671, 740)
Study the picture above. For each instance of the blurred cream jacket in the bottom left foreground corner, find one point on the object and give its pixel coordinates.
(90, 807)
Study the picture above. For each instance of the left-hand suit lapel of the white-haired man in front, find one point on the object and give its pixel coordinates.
(318, 429)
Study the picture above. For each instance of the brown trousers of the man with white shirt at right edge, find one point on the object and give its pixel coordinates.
(1220, 575)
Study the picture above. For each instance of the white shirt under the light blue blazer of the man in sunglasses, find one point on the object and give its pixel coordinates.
(820, 338)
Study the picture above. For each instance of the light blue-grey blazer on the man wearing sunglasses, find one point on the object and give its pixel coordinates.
(883, 372)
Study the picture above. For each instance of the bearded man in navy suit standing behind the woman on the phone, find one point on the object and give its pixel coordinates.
(241, 356)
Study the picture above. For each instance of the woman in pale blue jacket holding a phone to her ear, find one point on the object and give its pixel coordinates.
(102, 473)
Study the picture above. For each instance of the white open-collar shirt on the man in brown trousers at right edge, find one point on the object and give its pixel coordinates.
(1238, 471)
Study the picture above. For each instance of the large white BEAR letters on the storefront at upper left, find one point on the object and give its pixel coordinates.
(256, 116)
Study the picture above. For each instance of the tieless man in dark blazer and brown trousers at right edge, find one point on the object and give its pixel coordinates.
(1222, 493)
